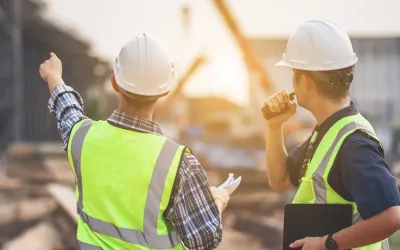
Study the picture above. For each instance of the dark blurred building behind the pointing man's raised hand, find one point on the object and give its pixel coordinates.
(26, 40)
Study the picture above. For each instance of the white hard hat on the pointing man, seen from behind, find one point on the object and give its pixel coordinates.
(144, 67)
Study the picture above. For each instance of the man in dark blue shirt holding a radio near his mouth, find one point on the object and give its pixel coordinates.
(342, 161)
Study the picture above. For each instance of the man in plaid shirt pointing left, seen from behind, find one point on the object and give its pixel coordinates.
(136, 189)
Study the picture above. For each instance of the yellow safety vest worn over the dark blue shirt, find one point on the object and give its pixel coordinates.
(314, 187)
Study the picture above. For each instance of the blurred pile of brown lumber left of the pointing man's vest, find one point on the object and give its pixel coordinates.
(37, 199)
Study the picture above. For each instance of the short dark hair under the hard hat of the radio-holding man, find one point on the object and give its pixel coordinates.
(333, 84)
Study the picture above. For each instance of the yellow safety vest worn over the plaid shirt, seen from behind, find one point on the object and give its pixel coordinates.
(124, 181)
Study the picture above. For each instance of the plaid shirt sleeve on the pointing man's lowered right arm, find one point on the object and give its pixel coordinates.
(192, 209)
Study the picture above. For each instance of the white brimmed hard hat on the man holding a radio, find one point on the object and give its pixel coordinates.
(318, 46)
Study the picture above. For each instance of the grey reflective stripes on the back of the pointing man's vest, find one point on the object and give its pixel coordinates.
(149, 237)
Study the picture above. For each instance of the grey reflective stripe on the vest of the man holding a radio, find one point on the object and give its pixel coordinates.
(320, 188)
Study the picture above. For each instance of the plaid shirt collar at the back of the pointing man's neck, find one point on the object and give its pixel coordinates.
(135, 123)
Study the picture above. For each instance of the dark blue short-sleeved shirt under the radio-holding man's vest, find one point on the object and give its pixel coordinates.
(359, 173)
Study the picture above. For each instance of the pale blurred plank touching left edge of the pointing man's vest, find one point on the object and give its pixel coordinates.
(65, 196)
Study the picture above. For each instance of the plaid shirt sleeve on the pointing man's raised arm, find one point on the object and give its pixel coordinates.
(67, 106)
